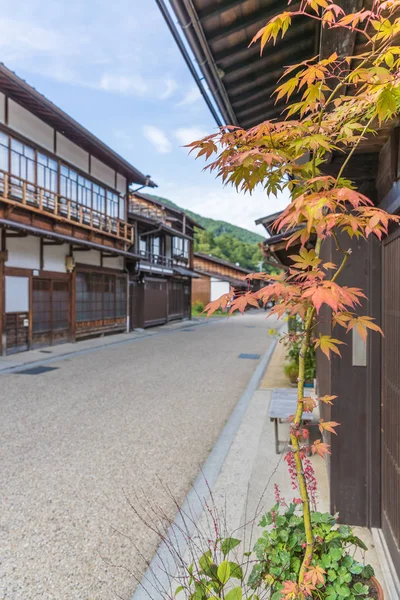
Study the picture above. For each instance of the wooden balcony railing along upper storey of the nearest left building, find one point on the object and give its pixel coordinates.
(19, 192)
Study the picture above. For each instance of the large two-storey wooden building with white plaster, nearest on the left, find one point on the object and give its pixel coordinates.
(64, 228)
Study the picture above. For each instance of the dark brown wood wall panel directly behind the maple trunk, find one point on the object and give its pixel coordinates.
(355, 462)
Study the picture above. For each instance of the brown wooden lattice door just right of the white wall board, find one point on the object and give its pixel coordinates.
(50, 311)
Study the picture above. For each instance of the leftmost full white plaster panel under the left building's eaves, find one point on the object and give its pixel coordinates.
(27, 124)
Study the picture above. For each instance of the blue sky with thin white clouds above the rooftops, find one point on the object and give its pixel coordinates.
(115, 68)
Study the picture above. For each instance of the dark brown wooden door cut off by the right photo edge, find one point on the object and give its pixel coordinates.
(391, 397)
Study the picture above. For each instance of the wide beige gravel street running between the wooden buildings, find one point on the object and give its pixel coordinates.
(113, 425)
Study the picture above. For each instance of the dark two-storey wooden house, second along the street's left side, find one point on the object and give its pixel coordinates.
(160, 279)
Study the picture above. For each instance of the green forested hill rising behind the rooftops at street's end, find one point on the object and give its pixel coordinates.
(224, 240)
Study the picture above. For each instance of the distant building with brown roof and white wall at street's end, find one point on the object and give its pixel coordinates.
(217, 276)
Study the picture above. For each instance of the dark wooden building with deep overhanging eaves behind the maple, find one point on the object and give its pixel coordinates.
(364, 468)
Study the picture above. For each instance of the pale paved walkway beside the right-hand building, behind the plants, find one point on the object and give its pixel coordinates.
(244, 490)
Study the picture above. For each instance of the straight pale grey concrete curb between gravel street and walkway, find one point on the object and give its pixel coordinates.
(156, 578)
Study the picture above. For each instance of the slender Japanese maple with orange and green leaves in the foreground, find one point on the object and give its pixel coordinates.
(343, 101)
